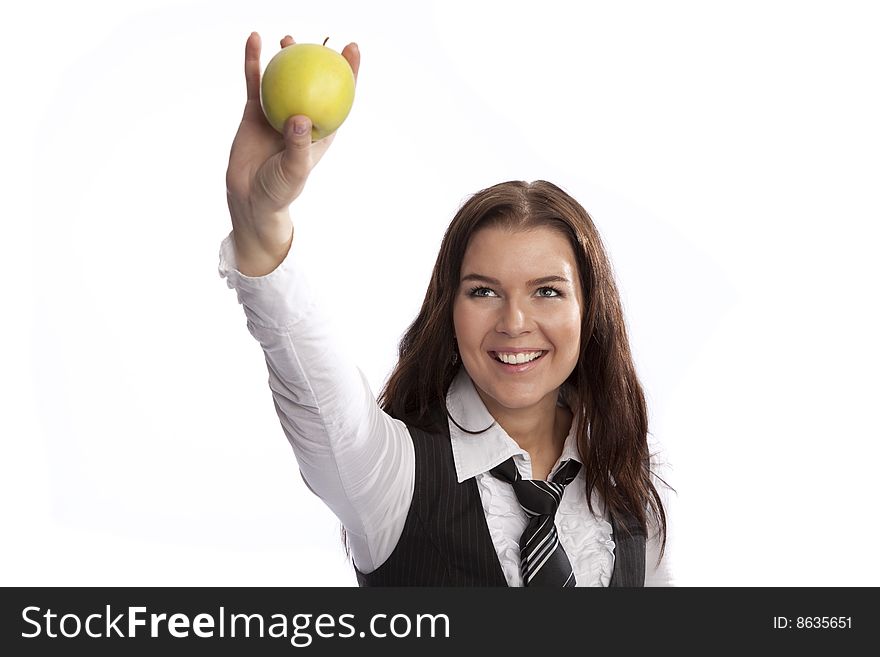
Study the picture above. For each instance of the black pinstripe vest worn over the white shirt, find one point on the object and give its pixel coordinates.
(446, 541)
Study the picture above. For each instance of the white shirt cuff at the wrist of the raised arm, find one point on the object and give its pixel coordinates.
(278, 299)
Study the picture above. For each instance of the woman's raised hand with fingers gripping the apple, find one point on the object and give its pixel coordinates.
(267, 171)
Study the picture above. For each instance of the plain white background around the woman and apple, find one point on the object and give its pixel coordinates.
(728, 153)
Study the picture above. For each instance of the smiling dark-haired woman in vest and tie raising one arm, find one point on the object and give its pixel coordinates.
(509, 446)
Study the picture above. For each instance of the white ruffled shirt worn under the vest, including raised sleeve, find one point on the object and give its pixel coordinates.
(360, 461)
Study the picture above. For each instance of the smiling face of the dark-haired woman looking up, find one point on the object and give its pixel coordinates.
(519, 295)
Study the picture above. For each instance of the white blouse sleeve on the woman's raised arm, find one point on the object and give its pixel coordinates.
(351, 454)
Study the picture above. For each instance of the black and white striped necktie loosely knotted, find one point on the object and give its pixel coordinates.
(542, 560)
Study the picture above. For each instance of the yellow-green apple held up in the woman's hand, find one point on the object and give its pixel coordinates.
(309, 79)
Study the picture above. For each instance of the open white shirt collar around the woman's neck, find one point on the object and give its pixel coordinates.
(477, 453)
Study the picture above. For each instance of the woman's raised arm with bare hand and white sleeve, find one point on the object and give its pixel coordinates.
(356, 458)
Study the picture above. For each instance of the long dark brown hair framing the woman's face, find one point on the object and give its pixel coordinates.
(604, 391)
